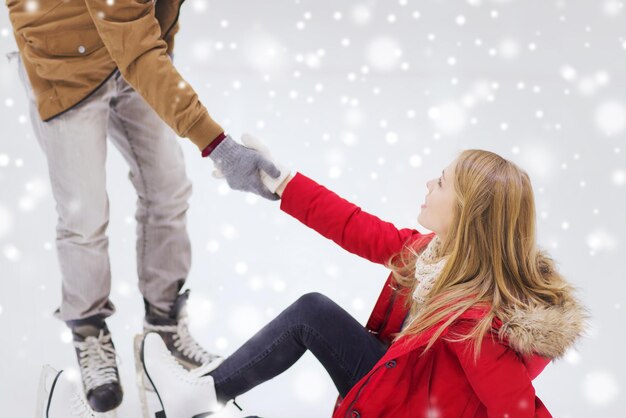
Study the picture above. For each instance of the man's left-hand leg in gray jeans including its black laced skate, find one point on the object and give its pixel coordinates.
(75, 148)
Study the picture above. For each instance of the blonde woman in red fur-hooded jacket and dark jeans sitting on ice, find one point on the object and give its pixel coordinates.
(469, 316)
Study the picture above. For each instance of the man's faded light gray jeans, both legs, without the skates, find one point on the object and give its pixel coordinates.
(75, 145)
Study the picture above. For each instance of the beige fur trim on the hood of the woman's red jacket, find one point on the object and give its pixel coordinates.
(546, 330)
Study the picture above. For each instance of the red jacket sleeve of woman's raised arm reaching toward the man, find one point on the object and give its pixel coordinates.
(343, 222)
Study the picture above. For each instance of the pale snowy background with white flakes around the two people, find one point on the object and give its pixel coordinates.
(372, 99)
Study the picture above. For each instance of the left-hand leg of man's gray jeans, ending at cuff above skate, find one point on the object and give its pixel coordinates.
(75, 148)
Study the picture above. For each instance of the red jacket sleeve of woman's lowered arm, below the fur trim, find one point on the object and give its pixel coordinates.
(500, 380)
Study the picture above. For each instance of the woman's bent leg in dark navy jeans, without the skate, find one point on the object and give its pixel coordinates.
(314, 322)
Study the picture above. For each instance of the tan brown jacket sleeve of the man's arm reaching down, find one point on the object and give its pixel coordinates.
(132, 36)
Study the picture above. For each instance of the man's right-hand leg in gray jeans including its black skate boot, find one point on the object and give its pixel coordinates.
(157, 171)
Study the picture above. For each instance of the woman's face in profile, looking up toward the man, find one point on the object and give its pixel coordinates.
(437, 211)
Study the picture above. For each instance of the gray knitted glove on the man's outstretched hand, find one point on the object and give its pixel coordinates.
(241, 166)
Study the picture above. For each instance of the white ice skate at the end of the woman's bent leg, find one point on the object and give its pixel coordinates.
(179, 393)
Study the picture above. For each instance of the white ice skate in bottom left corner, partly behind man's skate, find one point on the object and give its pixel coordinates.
(58, 397)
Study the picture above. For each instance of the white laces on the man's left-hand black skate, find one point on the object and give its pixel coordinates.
(97, 360)
